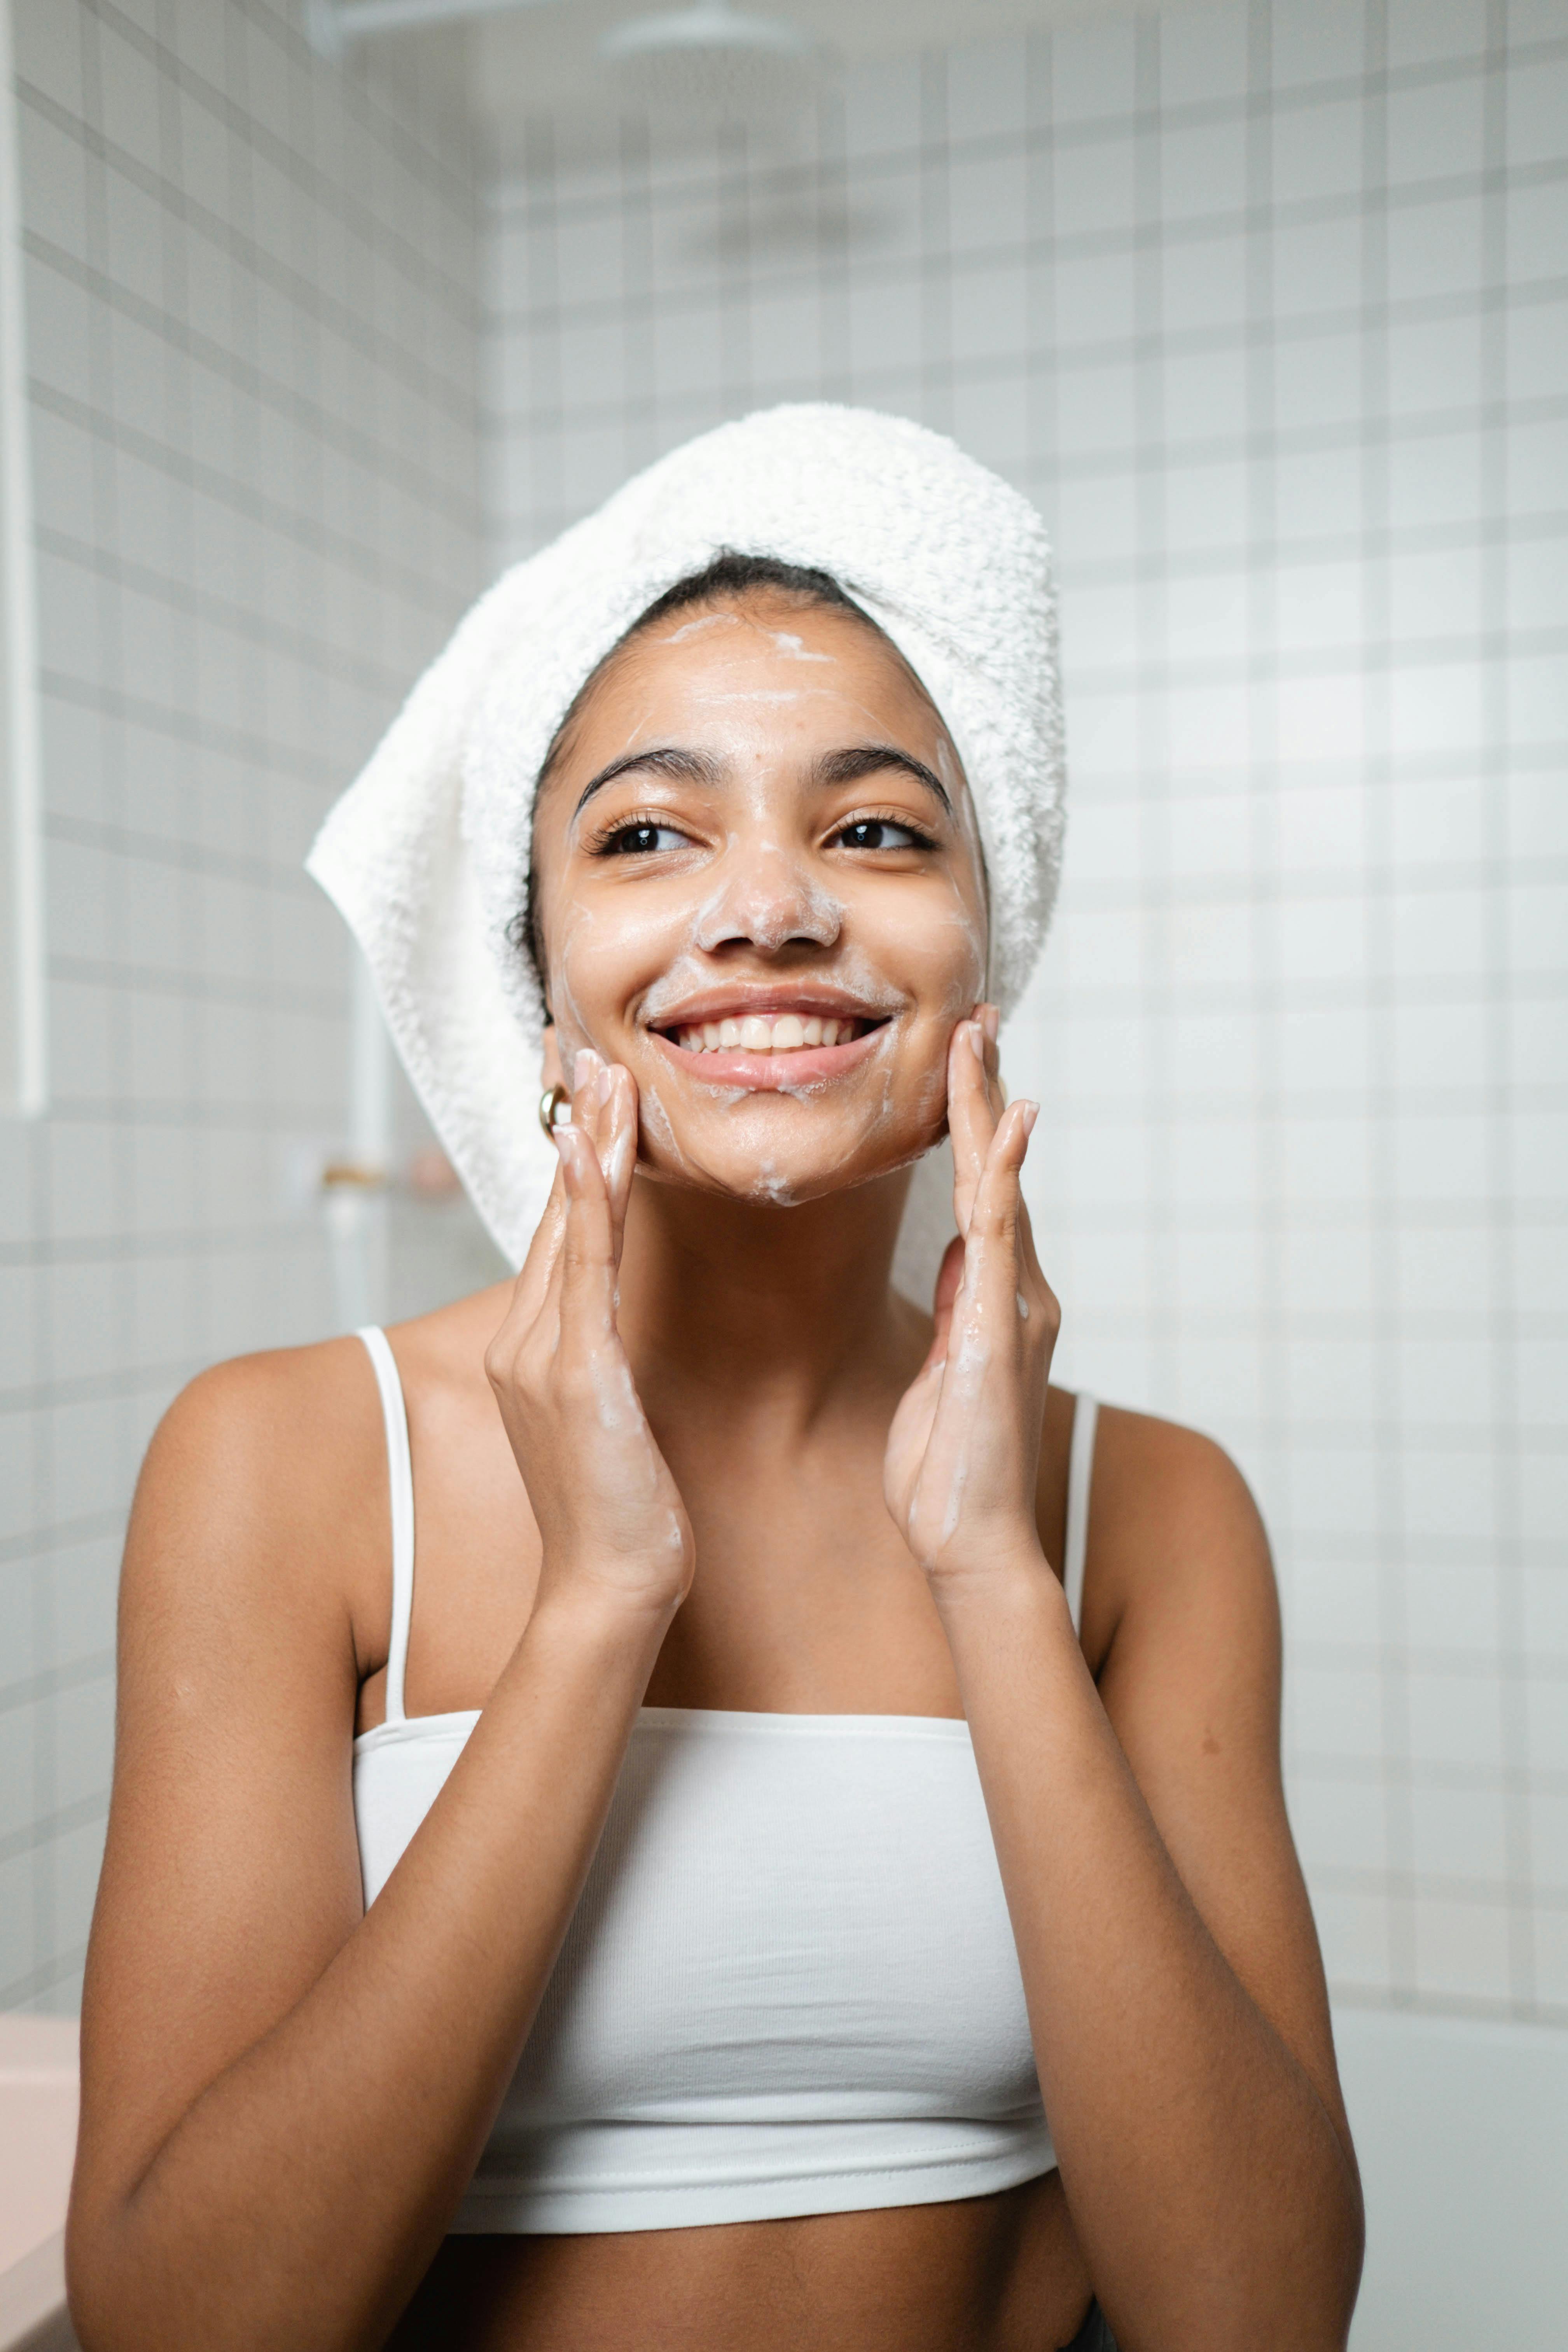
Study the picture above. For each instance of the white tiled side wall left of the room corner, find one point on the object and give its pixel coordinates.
(253, 319)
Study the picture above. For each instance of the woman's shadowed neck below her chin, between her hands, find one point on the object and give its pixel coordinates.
(763, 1307)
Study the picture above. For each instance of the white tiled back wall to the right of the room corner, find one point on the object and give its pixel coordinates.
(1268, 307)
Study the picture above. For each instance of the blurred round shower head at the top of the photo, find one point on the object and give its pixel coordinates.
(713, 60)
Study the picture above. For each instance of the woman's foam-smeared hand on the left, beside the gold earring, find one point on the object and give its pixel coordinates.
(608, 1509)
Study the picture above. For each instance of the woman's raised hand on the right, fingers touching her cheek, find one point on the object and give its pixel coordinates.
(963, 1452)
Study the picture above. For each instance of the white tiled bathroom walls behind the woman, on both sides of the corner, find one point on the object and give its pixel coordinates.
(1268, 309)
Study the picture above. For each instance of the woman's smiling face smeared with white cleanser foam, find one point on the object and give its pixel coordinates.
(758, 886)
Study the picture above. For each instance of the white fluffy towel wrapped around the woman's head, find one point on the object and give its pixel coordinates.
(429, 850)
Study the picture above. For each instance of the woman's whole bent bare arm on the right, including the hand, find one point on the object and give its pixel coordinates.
(1167, 1949)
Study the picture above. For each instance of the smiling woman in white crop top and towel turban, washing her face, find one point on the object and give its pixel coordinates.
(749, 1819)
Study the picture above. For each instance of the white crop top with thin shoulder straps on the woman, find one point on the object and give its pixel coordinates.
(791, 1984)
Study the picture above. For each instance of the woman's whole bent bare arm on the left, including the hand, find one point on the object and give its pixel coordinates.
(283, 2097)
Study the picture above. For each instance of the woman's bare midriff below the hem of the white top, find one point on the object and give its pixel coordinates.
(979, 2276)
